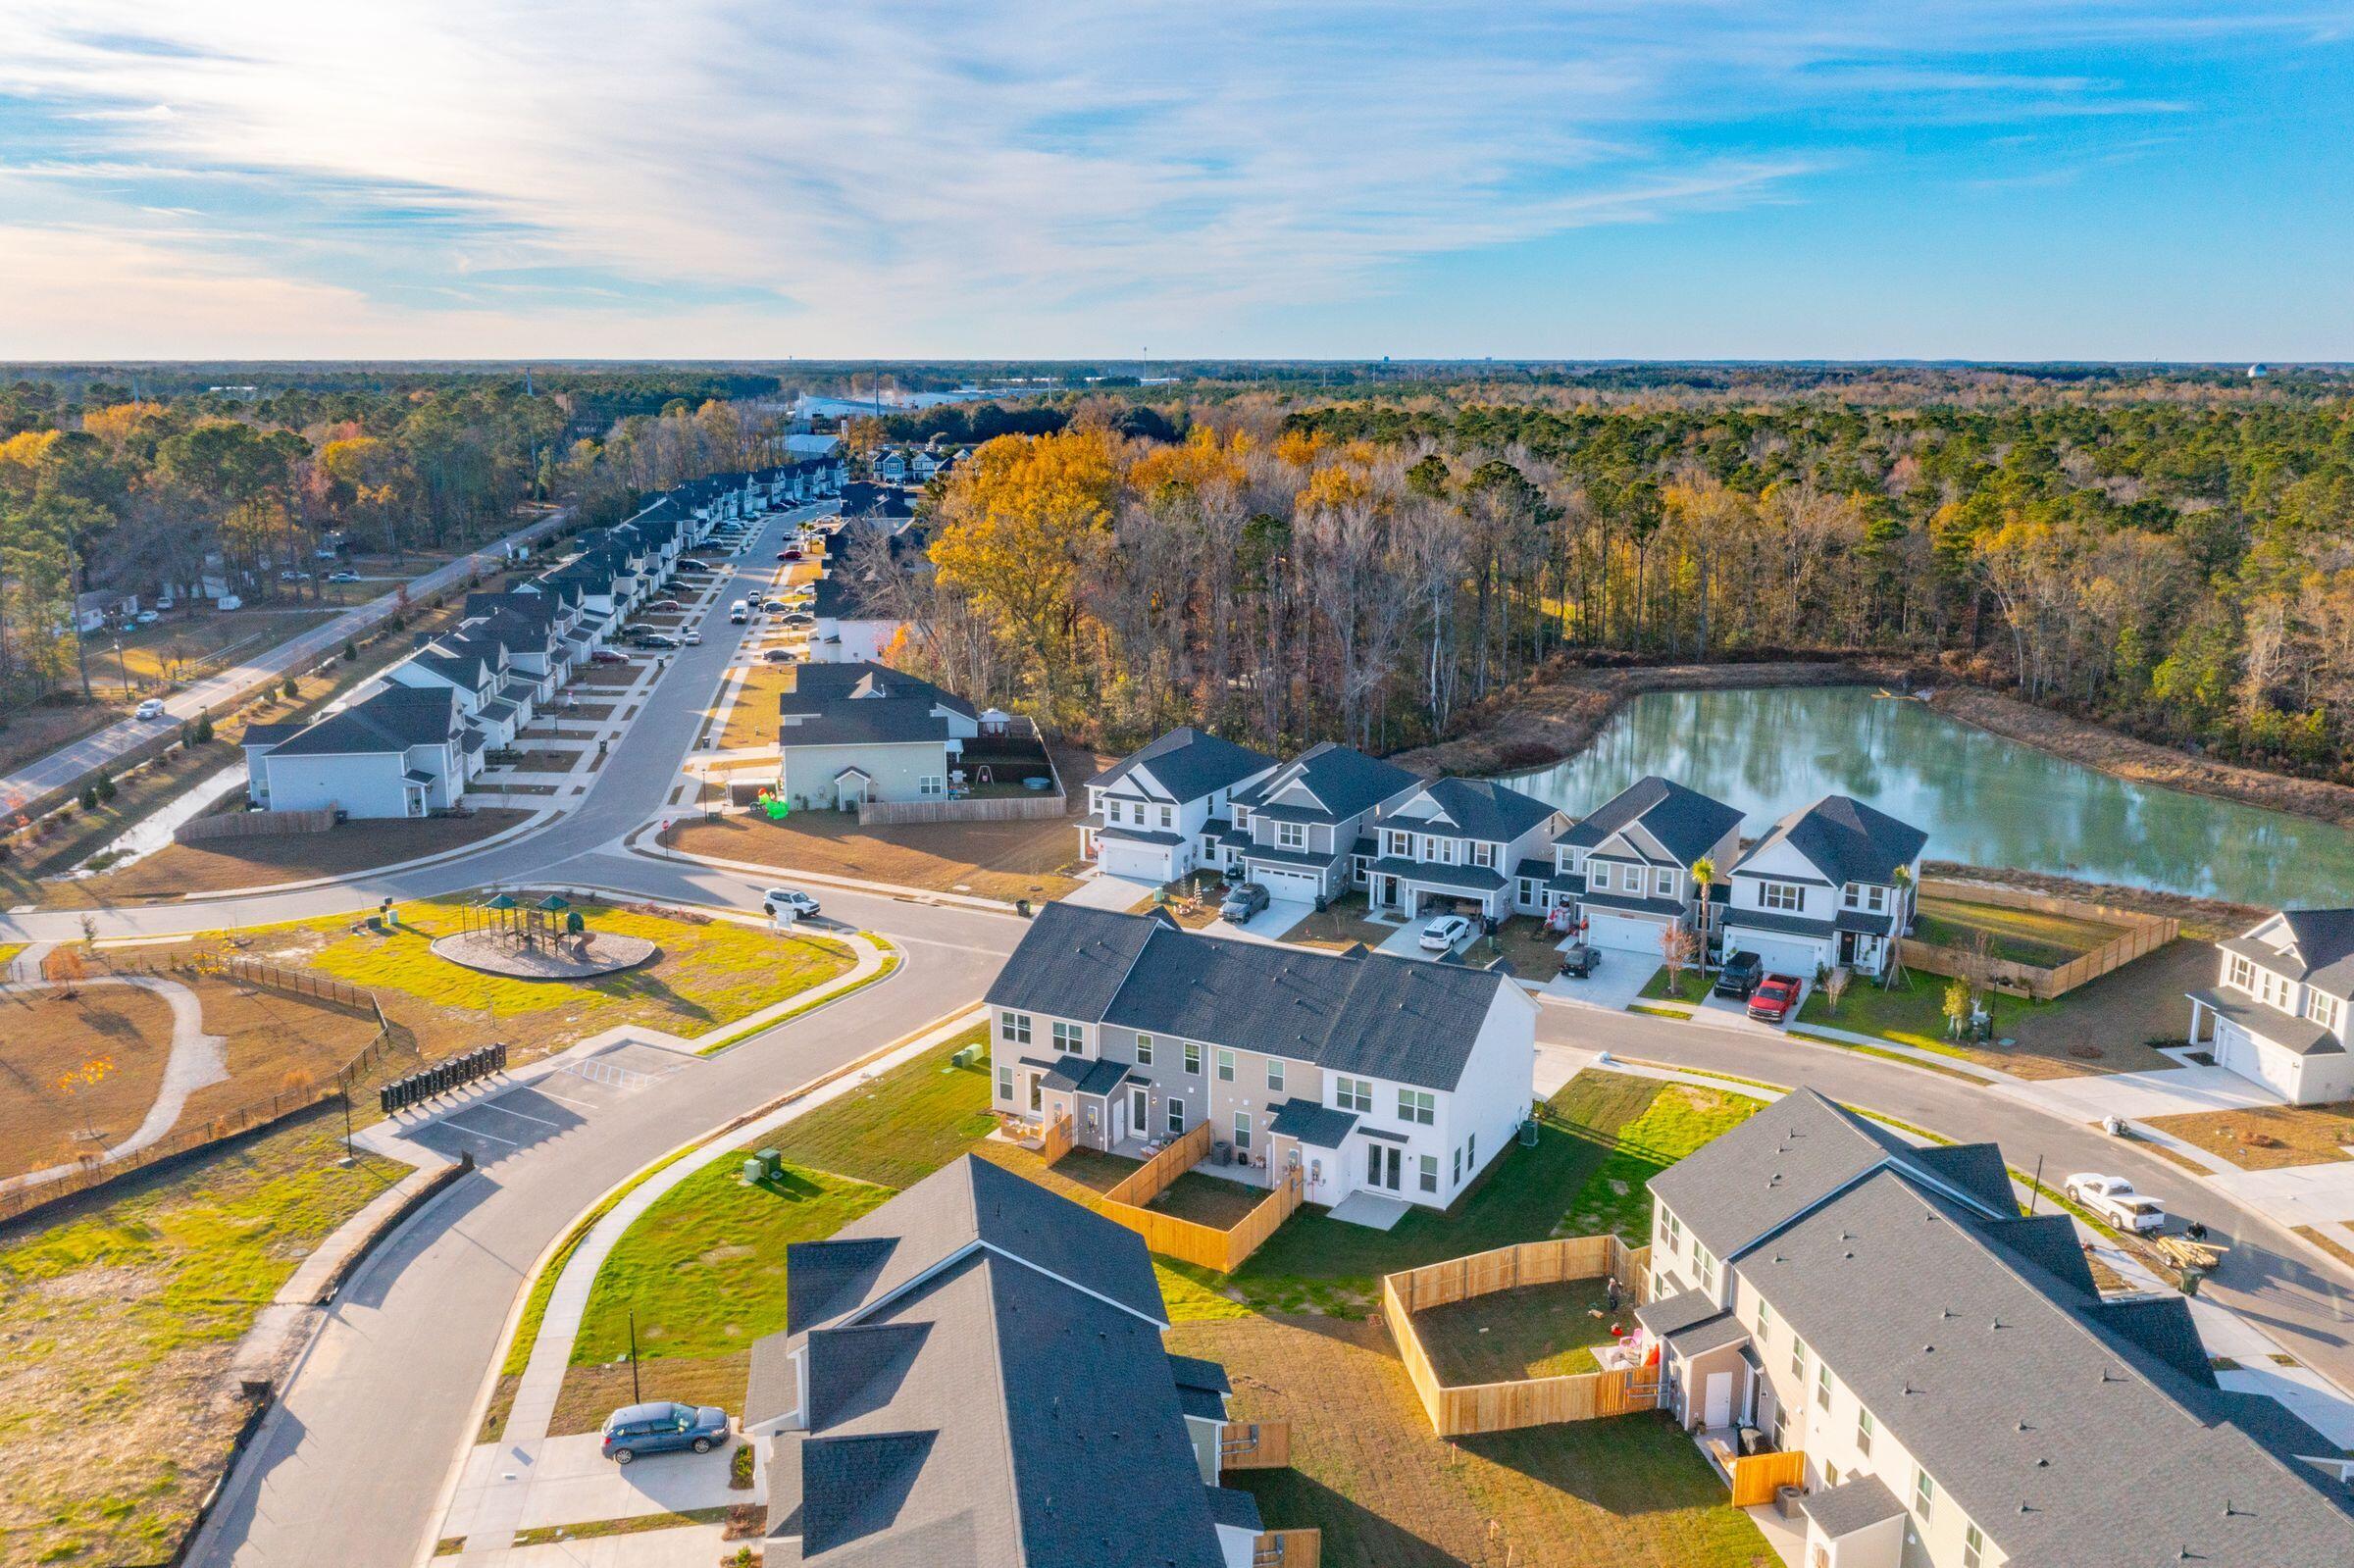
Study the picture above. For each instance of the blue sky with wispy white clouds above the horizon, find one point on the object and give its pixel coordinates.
(1644, 180)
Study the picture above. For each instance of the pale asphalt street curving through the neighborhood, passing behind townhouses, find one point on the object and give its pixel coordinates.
(354, 1461)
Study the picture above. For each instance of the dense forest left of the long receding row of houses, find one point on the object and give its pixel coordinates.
(178, 479)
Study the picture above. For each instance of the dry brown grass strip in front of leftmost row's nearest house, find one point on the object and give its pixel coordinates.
(284, 858)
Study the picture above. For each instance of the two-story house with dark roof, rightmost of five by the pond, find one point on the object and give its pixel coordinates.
(1830, 884)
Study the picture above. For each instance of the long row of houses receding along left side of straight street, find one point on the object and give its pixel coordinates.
(411, 743)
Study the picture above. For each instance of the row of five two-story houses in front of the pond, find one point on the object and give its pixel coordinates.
(1830, 884)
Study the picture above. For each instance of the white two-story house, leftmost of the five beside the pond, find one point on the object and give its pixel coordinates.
(1159, 813)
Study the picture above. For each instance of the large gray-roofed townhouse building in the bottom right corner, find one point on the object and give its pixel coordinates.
(1957, 1383)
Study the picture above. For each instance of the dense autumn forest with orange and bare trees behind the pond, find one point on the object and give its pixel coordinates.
(2169, 552)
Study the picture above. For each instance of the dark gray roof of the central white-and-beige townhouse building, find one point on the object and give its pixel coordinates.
(1362, 1014)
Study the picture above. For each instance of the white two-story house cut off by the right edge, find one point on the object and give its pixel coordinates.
(2280, 1009)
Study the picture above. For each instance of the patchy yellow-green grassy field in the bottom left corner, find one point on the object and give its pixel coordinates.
(121, 1317)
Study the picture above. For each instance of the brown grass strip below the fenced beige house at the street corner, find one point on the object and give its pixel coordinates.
(995, 861)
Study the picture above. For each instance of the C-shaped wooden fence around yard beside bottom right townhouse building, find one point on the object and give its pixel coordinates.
(1529, 1402)
